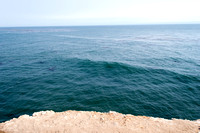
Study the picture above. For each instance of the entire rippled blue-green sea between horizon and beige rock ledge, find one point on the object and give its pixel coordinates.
(151, 70)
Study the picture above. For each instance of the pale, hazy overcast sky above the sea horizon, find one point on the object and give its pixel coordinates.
(97, 12)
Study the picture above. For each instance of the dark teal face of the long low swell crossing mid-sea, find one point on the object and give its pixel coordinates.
(122, 68)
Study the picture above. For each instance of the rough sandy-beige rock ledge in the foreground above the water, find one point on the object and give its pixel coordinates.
(95, 122)
